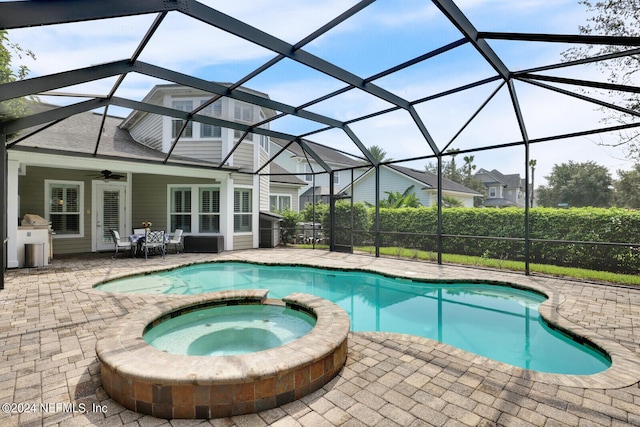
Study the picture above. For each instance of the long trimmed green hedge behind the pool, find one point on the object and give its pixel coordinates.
(415, 228)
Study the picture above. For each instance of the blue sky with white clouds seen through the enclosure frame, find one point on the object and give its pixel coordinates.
(385, 34)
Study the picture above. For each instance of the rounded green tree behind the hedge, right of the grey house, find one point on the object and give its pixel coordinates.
(576, 185)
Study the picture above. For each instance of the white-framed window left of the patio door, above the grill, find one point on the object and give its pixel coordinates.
(64, 206)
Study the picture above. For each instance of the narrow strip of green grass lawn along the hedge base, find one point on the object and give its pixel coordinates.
(500, 264)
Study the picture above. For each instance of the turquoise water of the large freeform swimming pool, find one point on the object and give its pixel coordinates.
(498, 322)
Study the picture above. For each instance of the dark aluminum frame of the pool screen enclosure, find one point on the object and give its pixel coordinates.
(19, 14)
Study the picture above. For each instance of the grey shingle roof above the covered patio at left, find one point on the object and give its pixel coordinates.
(78, 135)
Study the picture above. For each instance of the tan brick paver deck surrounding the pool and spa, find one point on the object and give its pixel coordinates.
(51, 318)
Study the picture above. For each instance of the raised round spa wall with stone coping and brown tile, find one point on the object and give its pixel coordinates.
(150, 381)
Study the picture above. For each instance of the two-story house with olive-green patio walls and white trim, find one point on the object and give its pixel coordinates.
(91, 173)
